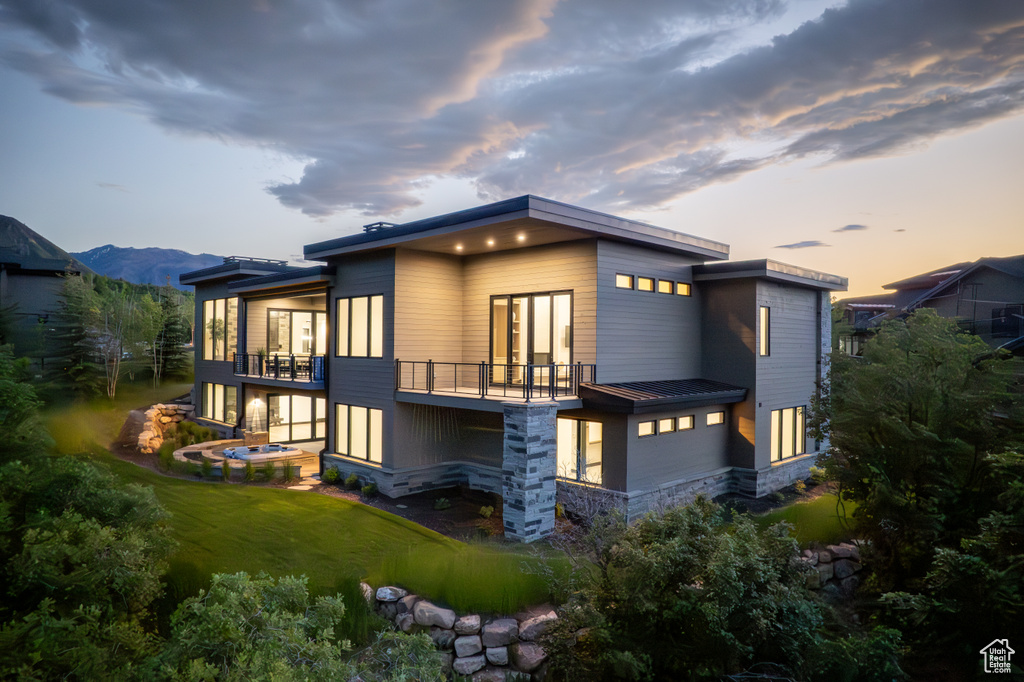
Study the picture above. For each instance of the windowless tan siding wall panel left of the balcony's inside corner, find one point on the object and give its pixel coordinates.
(429, 308)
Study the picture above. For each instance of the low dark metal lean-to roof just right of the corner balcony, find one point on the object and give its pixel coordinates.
(638, 398)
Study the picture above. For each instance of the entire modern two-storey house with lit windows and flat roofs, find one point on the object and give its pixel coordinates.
(508, 346)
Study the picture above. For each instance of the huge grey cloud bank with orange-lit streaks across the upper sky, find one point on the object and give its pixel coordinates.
(610, 105)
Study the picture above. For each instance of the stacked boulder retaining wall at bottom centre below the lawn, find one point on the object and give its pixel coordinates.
(496, 650)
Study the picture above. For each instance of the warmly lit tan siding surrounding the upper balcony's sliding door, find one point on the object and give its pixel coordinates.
(569, 267)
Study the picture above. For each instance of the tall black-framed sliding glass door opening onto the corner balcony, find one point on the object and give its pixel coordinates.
(533, 329)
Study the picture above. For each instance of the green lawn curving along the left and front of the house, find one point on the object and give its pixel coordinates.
(227, 528)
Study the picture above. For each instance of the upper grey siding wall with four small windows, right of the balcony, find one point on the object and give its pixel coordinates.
(646, 336)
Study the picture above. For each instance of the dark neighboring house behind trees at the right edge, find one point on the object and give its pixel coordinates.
(987, 299)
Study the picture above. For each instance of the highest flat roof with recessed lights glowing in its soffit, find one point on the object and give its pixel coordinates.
(523, 222)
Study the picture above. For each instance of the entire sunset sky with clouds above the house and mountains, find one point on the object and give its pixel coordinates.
(873, 139)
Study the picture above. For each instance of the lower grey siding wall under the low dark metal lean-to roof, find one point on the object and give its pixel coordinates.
(665, 458)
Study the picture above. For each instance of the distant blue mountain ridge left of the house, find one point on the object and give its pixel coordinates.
(150, 266)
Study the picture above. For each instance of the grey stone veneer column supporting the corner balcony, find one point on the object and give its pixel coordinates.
(529, 464)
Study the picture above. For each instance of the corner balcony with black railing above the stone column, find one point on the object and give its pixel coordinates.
(498, 382)
